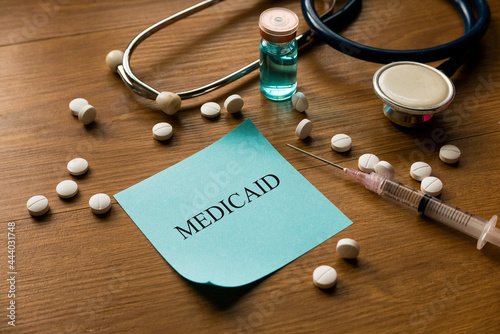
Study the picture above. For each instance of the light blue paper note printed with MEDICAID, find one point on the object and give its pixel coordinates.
(232, 213)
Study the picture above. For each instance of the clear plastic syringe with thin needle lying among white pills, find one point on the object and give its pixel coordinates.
(477, 227)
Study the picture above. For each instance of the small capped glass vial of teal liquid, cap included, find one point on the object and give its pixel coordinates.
(278, 53)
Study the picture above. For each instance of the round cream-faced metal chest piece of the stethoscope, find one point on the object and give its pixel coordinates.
(412, 92)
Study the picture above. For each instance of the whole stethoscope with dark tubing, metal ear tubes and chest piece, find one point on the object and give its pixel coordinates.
(430, 89)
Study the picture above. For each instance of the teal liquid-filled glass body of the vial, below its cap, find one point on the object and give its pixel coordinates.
(278, 69)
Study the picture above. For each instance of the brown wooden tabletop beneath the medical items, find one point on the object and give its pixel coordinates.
(80, 273)
